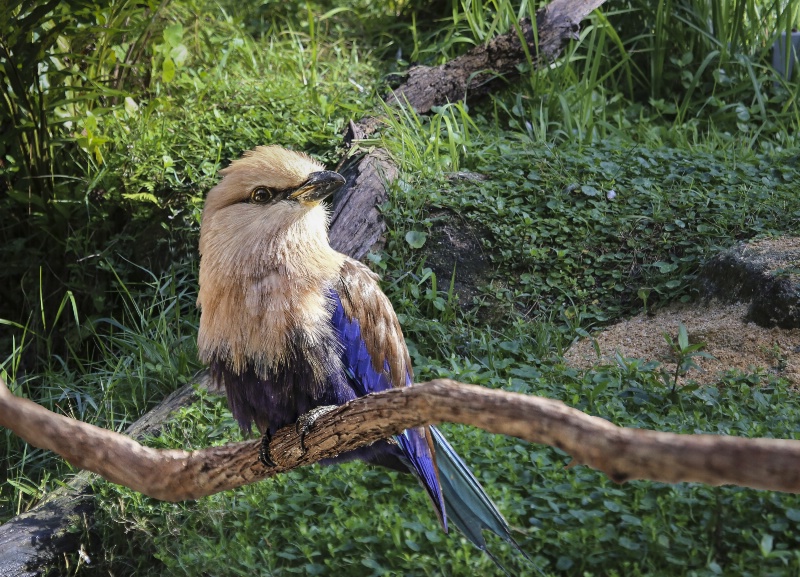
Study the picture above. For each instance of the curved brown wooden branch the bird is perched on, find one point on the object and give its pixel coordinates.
(623, 454)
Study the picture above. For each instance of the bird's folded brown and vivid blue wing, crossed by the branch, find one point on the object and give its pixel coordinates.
(375, 358)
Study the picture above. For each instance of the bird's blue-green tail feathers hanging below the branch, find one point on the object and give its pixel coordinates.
(466, 503)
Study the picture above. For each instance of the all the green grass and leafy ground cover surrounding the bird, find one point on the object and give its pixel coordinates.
(603, 191)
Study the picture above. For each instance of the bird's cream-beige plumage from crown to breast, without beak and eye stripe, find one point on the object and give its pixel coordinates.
(262, 265)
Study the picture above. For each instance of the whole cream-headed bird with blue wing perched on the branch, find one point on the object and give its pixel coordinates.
(288, 325)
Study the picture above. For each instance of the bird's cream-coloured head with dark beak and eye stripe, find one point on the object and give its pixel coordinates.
(267, 208)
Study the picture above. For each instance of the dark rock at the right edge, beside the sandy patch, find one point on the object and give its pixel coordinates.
(764, 273)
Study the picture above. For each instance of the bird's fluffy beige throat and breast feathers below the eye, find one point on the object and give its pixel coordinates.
(264, 283)
